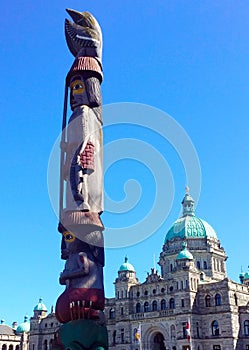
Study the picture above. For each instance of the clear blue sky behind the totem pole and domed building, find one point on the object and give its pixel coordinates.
(187, 58)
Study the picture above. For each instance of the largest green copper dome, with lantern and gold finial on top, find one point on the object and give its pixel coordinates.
(189, 225)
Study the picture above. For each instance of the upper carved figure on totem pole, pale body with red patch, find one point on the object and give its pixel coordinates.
(83, 168)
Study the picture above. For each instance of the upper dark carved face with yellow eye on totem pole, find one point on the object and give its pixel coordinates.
(78, 95)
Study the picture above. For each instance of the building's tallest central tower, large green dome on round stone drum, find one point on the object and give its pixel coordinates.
(202, 242)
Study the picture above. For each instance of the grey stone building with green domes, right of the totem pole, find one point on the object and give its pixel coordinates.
(190, 304)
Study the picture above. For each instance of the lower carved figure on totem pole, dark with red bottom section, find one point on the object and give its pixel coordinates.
(83, 278)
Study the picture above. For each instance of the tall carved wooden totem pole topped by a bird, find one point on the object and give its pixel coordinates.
(80, 306)
